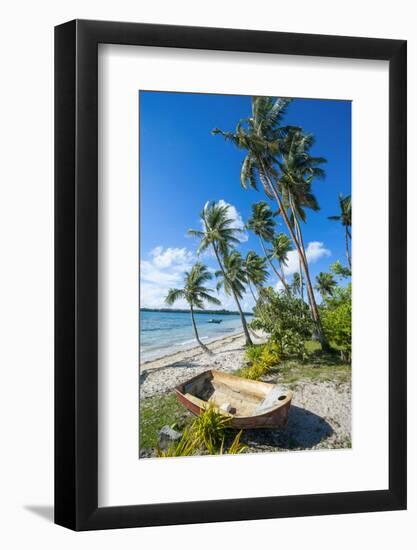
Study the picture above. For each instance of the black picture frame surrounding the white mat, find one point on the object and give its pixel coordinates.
(76, 272)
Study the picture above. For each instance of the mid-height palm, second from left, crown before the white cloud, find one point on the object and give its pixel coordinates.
(220, 234)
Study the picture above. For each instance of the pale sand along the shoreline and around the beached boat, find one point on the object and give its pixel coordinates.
(320, 414)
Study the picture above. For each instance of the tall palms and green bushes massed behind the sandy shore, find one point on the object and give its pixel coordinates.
(278, 160)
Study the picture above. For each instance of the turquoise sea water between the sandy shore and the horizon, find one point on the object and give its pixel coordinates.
(162, 333)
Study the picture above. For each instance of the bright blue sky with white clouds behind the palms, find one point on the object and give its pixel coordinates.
(182, 166)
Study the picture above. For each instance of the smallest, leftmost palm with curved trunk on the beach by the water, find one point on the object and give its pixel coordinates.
(195, 294)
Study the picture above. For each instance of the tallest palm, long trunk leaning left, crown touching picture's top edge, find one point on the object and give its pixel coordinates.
(262, 137)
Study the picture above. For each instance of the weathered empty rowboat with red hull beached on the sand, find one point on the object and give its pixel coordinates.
(248, 403)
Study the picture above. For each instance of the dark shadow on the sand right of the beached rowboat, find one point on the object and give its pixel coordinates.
(304, 430)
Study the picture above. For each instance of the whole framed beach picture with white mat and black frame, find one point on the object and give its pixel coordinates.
(230, 244)
